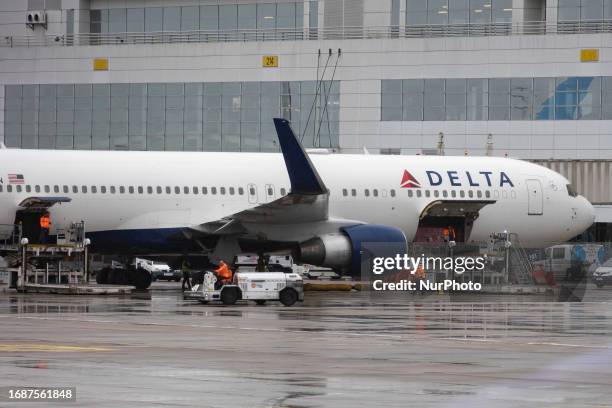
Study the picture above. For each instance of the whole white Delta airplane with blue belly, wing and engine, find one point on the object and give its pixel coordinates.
(319, 207)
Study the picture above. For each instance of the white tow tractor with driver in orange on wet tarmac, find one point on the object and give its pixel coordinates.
(287, 288)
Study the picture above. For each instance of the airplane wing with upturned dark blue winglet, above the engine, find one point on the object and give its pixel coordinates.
(307, 202)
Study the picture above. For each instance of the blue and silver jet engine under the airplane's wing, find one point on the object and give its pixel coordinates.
(343, 250)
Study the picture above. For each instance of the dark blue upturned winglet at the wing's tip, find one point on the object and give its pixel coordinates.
(302, 174)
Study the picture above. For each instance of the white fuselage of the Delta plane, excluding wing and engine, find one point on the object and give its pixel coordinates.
(127, 191)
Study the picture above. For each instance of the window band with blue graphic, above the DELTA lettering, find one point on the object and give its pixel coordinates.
(563, 98)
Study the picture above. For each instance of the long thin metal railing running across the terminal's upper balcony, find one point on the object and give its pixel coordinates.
(341, 33)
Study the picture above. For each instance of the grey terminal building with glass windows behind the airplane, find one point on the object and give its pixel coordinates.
(530, 79)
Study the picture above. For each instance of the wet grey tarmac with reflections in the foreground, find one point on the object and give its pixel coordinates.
(334, 350)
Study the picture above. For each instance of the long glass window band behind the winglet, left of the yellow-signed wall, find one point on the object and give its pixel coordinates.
(228, 116)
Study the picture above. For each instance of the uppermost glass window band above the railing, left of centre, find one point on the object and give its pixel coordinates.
(272, 16)
